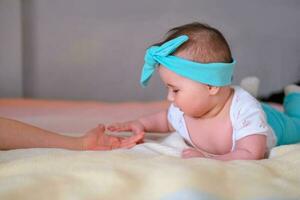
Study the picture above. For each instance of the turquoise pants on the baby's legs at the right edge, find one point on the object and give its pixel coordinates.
(286, 125)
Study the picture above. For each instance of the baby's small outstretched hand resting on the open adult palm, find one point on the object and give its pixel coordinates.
(134, 126)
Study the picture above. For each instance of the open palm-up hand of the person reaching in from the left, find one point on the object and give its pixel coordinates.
(96, 139)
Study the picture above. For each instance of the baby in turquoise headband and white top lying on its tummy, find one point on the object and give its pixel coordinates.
(216, 119)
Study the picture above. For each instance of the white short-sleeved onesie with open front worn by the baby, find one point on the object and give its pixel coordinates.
(246, 115)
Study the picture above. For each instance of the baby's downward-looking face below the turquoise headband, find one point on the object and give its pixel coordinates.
(191, 97)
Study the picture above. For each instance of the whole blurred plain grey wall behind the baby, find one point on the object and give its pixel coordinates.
(94, 49)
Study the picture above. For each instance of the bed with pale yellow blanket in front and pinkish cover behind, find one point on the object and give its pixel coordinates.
(153, 170)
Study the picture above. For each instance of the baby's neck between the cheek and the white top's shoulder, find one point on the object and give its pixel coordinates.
(219, 102)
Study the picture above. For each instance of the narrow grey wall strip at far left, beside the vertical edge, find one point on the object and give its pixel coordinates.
(10, 49)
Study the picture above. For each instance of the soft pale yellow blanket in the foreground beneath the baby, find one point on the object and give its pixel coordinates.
(138, 174)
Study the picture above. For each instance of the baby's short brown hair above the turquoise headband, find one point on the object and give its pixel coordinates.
(206, 44)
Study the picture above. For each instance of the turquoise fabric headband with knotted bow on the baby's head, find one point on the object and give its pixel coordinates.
(216, 74)
